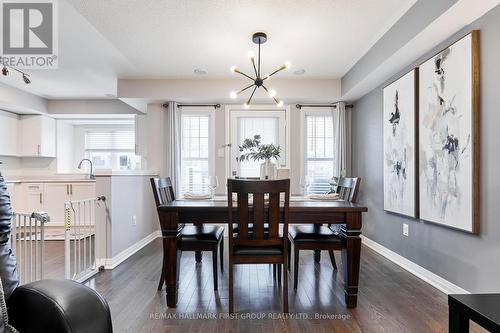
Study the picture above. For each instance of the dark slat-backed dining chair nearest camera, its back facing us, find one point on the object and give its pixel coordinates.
(259, 246)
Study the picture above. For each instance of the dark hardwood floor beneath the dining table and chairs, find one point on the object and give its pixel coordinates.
(390, 299)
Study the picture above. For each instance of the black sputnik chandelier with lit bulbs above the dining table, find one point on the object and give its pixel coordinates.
(258, 38)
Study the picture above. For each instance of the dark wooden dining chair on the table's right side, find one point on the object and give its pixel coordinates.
(318, 237)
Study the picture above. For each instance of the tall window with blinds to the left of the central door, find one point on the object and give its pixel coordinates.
(196, 151)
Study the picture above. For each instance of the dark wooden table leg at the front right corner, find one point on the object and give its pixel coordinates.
(351, 252)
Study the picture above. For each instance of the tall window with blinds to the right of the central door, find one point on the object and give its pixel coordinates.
(318, 152)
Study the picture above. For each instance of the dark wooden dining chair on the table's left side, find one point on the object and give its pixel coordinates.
(198, 238)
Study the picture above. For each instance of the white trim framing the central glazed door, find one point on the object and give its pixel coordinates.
(240, 108)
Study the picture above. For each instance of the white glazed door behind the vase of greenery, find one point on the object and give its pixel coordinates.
(270, 124)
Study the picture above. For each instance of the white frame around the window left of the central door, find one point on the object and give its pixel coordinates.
(192, 110)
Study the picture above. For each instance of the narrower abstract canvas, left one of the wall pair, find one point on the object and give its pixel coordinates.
(400, 146)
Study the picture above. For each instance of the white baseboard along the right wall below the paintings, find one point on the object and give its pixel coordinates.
(434, 280)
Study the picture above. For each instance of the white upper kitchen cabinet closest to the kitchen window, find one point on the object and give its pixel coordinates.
(37, 136)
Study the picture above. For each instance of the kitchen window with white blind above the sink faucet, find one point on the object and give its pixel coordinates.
(112, 148)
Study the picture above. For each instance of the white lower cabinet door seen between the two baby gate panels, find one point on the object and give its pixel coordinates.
(56, 194)
